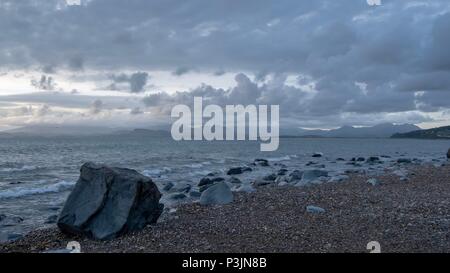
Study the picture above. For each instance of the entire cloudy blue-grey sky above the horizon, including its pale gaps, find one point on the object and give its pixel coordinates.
(327, 63)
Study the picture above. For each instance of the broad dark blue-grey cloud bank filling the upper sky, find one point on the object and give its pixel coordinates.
(358, 58)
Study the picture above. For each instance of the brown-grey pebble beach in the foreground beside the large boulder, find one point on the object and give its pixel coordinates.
(403, 216)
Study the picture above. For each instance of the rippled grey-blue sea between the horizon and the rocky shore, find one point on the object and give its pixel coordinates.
(36, 175)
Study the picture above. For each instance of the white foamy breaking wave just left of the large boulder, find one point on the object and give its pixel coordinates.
(26, 191)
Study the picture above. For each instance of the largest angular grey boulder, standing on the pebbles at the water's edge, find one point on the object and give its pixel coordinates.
(108, 202)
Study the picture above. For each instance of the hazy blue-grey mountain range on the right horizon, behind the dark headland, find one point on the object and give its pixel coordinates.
(384, 130)
